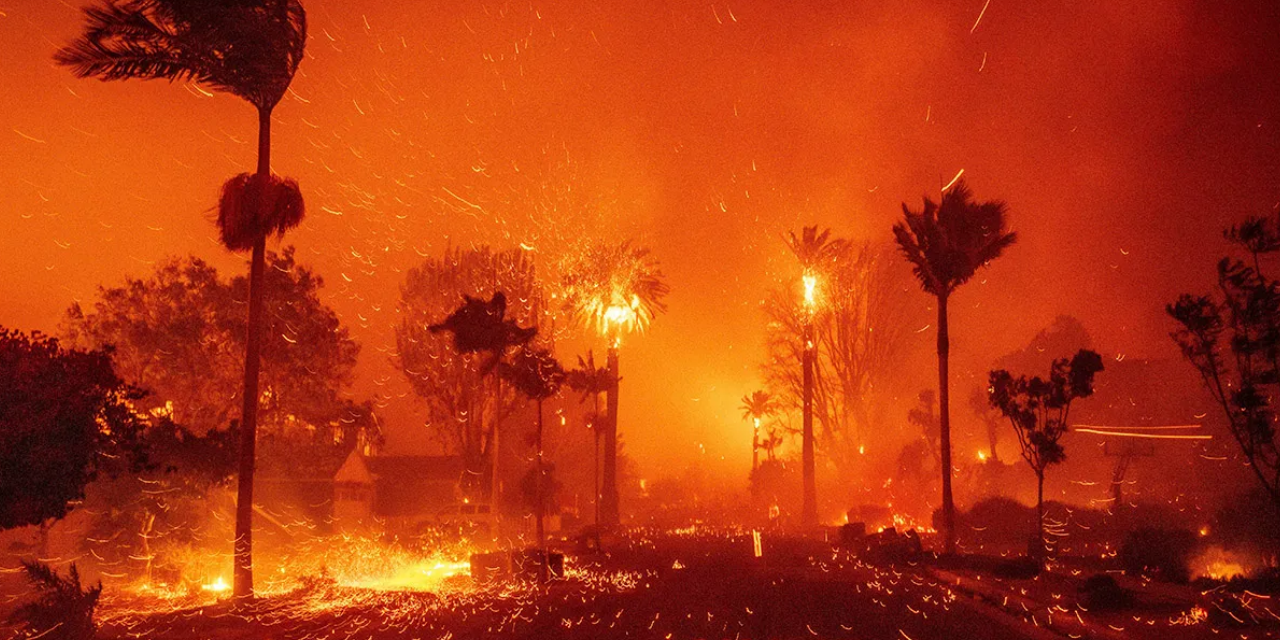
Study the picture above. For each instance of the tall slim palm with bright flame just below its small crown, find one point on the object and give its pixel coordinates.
(816, 253)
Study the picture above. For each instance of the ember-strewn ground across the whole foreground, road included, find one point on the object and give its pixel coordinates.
(685, 584)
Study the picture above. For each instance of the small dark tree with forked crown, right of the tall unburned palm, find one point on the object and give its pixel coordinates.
(1039, 410)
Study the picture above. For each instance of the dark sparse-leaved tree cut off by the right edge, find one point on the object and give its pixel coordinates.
(1242, 376)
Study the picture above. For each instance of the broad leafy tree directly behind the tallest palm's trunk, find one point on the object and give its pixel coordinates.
(180, 333)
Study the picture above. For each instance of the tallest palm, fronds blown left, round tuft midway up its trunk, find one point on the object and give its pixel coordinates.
(250, 49)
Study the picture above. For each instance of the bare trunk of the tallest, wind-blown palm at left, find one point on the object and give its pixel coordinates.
(244, 563)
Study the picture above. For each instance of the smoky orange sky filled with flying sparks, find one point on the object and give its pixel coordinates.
(1123, 138)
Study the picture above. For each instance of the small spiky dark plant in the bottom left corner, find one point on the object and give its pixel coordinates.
(63, 610)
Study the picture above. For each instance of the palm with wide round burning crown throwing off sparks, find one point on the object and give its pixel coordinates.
(614, 290)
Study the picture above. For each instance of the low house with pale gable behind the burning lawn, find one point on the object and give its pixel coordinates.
(400, 492)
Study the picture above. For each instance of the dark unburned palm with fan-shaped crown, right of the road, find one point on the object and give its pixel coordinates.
(947, 244)
